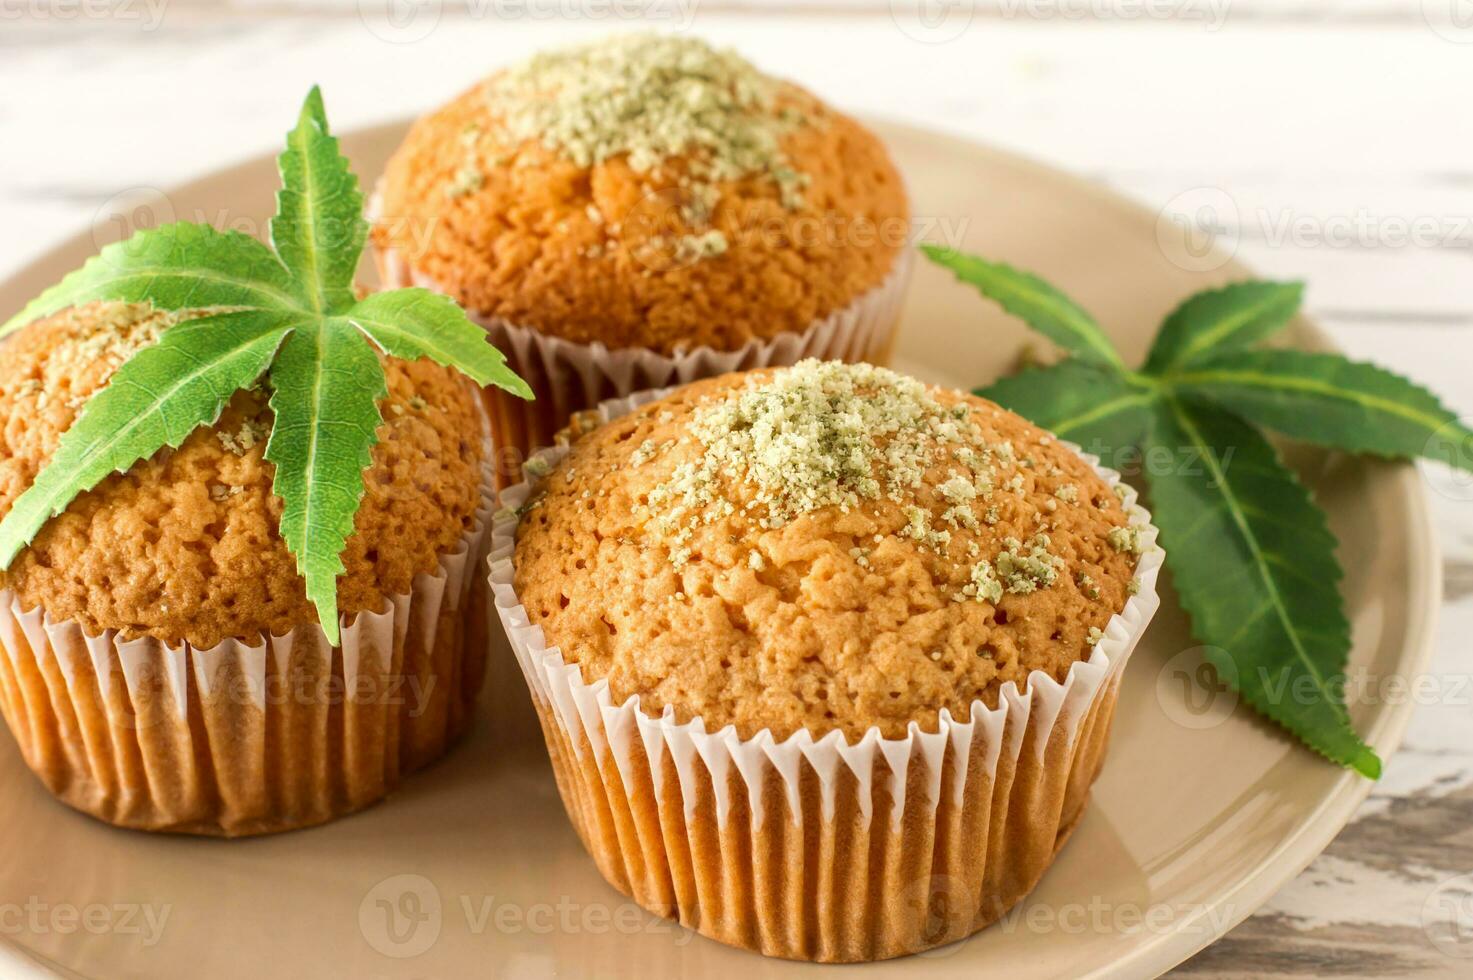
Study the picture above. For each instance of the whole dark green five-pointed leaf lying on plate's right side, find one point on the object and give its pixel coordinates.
(1251, 553)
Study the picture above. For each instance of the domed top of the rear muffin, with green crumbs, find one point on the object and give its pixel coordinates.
(649, 192)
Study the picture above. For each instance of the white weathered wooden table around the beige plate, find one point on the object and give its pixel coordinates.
(1334, 142)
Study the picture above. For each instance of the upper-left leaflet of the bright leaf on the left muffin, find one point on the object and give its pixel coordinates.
(176, 267)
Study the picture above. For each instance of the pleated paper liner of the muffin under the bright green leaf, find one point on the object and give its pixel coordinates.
(250, 739)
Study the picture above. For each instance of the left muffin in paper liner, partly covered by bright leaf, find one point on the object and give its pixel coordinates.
(163, 665)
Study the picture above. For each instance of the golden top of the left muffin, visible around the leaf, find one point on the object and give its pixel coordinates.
(185, 546)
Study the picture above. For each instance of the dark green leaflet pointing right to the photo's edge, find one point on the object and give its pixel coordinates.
(1332, 402)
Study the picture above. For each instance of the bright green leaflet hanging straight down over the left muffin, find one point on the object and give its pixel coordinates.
(325, 393)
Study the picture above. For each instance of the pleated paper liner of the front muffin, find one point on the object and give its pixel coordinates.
(817, 848)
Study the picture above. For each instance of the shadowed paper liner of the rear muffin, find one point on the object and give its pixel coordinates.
(569, 378)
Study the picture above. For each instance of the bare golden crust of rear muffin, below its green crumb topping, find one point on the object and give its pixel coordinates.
(596, 253)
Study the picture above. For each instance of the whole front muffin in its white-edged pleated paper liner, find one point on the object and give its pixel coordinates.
(826, 658)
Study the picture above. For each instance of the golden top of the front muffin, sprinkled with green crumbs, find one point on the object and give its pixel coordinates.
(823, 547)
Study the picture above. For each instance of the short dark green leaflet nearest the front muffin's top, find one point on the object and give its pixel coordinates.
(1101, 410)
